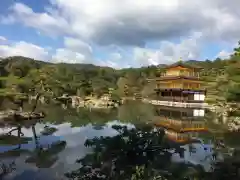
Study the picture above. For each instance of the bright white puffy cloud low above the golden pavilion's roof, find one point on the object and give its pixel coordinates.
(169, 52)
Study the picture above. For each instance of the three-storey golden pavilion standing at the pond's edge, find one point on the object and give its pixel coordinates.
(180, 83)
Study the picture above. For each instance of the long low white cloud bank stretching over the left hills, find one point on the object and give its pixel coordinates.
(82, 53)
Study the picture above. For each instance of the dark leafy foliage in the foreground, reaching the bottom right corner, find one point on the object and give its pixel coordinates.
(144, 154)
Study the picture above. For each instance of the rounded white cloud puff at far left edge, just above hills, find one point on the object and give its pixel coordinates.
(23, 48)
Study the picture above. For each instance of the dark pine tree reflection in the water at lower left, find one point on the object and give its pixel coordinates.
(41, 156)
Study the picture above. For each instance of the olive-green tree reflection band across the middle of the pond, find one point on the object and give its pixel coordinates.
(130, 112)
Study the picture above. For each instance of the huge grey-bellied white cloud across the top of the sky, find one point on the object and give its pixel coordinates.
(133, 22)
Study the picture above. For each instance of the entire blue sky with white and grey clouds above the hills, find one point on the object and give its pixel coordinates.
(130, 33)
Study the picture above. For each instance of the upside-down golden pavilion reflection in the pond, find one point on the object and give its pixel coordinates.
(181, 124)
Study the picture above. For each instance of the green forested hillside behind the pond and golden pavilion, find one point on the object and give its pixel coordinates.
(21, 76)
